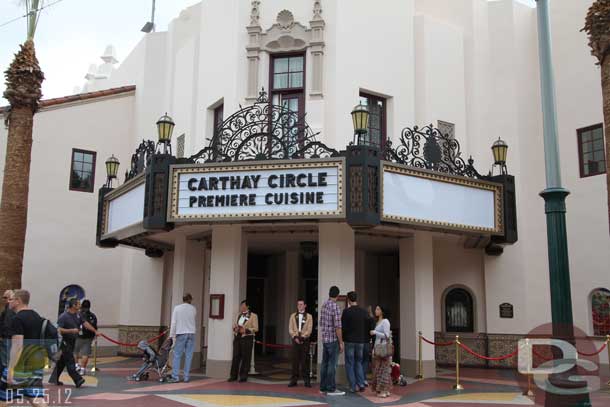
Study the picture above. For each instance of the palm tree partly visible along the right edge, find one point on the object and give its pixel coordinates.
(597, 26)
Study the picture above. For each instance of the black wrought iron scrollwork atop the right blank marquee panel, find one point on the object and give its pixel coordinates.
(429, 149)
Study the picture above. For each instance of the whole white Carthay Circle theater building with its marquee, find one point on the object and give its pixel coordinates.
(269, 150)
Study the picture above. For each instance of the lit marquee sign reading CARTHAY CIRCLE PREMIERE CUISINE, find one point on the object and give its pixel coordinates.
(285, 190)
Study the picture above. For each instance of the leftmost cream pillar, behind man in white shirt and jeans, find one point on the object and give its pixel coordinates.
(188, 277)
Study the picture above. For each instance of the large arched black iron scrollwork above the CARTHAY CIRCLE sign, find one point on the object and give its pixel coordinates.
(263, 131)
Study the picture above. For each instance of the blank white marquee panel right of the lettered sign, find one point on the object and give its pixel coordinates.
(433, 199)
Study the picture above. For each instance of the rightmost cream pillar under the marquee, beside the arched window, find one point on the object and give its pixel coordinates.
(417, 302)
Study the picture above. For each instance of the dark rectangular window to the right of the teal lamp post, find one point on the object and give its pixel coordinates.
(591, 151)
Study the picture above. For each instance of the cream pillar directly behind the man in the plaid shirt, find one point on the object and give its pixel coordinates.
(336, 251)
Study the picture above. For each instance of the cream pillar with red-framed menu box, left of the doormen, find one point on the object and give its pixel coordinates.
(228, 277)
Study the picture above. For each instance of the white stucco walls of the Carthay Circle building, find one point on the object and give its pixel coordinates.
(472, 63)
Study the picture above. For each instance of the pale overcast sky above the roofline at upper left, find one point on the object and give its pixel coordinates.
(72, 34)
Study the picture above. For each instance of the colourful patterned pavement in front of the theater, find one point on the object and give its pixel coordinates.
(111, 387)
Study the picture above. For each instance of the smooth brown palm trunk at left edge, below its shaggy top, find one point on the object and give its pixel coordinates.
(14, 205)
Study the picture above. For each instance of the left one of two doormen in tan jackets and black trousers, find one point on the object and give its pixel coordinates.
(244, 330)
